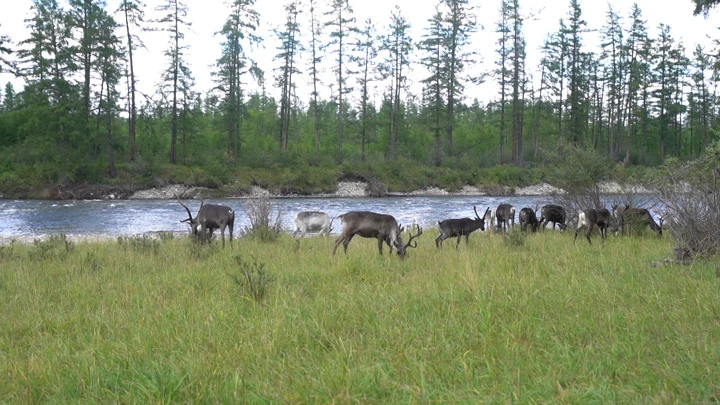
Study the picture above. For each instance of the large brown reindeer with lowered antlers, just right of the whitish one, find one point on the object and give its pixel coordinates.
(372, 225)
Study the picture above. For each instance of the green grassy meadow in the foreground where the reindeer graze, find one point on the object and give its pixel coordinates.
(547, 321)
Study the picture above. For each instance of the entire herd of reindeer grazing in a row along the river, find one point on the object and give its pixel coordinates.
(388, 231)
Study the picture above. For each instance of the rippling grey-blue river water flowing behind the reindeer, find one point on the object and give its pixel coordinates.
(29, 219)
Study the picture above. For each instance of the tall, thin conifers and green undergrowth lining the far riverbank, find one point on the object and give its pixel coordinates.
(637, 99)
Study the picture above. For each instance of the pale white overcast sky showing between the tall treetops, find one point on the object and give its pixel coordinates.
(542, 18)
